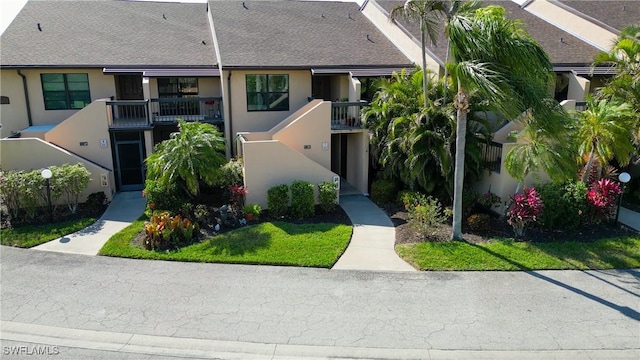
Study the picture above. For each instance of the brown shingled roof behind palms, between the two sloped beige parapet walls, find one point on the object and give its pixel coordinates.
(562, 47)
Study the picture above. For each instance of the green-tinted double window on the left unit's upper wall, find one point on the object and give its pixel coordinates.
(65, 91)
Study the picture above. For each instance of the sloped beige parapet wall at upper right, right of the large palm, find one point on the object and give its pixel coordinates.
(573, 24)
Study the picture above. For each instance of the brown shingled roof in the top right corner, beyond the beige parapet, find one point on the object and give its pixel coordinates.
(616, 14)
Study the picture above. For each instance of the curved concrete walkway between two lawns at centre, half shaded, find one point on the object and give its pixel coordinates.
(373, 239)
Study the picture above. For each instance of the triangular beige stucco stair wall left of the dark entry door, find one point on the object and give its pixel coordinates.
(89, 126)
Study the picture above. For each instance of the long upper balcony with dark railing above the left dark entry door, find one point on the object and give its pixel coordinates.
(167, 111)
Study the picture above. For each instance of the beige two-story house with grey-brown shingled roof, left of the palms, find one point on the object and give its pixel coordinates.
(282, 80)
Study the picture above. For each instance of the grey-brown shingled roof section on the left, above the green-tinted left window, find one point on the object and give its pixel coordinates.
(108, 33)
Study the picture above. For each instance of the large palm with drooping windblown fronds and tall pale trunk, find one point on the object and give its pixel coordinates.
(496, 58)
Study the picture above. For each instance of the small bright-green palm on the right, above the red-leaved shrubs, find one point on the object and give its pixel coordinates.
(602, 131)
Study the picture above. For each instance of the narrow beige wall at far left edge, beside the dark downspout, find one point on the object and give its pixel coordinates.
(13, 116)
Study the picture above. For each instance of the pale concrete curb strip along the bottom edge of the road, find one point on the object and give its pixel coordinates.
(218, 349)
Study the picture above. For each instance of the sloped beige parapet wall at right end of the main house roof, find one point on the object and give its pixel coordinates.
(403, 42)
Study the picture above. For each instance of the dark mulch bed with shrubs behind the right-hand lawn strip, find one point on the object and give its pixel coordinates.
(499, 229)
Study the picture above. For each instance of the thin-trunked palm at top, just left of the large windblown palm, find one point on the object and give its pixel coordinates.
(426, 13)
